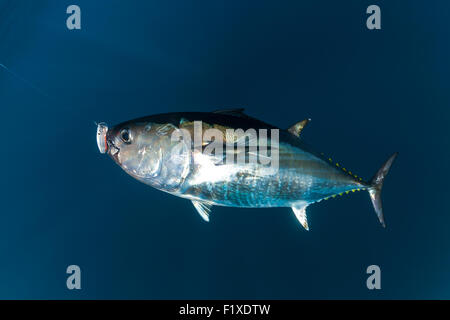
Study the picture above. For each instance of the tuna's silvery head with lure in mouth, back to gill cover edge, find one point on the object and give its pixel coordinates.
(149, 151)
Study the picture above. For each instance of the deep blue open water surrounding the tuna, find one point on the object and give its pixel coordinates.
(369, 93)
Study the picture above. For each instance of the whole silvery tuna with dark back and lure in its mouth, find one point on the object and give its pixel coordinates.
(159, 151)
